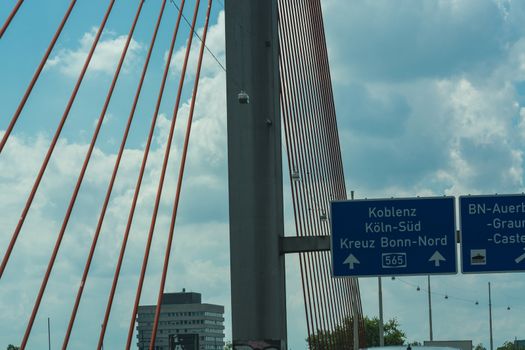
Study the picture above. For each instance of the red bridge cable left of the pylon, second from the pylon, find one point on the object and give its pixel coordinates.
(161, 180)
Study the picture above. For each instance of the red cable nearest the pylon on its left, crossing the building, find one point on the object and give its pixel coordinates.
(179, 181)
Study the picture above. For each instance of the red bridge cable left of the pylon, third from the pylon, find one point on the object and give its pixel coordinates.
(139, 183)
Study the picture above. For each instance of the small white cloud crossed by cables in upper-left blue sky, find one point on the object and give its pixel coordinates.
(105, 59)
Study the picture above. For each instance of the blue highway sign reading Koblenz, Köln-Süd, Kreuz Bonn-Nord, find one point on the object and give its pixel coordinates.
(390, 237)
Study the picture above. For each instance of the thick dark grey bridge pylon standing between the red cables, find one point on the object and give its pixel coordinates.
(255, 173)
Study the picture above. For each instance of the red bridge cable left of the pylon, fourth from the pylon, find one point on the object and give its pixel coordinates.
(112, 181)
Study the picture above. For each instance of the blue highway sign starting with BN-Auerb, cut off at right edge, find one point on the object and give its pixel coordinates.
(492, 233)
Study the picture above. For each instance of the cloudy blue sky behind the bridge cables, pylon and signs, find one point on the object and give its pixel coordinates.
(429, 97)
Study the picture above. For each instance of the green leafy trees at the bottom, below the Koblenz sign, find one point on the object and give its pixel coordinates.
(342, 337)
